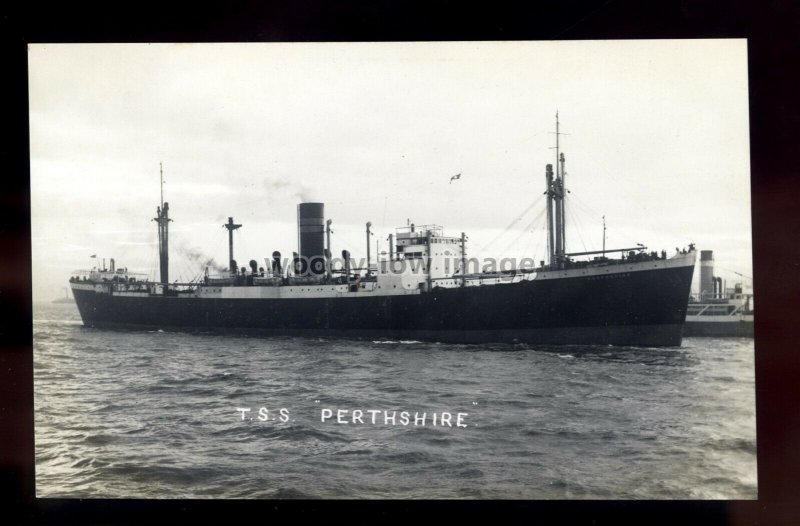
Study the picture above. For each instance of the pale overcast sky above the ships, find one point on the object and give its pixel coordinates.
(657, 142)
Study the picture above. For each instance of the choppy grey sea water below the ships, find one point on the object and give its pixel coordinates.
(154, 415)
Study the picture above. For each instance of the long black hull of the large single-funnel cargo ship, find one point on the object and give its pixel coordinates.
(646, 308)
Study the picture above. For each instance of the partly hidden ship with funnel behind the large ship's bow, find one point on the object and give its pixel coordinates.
(717, 311)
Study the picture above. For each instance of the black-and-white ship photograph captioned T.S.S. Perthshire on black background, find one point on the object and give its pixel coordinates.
(393, 270)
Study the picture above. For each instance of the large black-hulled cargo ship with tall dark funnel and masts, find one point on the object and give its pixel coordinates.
(425, 289)
